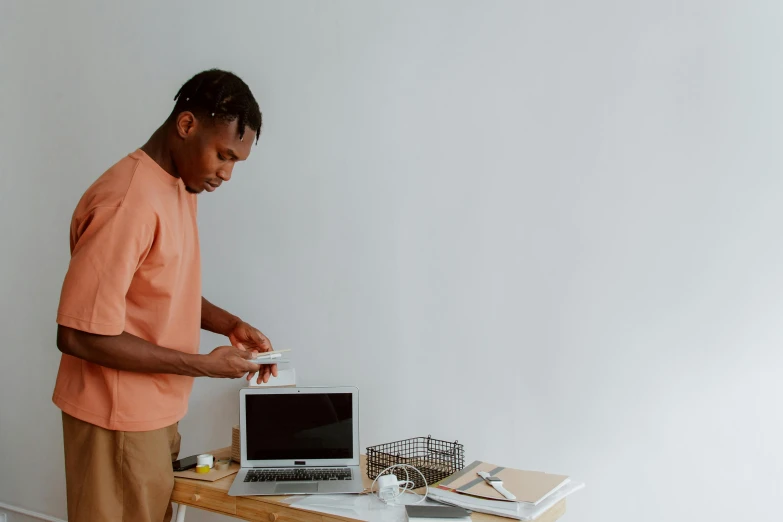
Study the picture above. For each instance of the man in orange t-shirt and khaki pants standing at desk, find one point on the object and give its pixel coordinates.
(131, 306)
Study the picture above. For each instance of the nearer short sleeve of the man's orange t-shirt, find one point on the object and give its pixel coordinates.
(108, 246)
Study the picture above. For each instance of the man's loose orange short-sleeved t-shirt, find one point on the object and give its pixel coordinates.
(135, 267)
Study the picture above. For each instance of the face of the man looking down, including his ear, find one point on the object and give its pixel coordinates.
(208, 151)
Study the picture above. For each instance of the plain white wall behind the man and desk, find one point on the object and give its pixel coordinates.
(550, 230)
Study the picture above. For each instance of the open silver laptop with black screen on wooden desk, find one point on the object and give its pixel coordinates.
(298, 441)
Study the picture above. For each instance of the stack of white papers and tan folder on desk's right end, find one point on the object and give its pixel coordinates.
(536, 492)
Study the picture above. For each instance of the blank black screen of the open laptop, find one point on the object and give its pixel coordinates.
(299, 426)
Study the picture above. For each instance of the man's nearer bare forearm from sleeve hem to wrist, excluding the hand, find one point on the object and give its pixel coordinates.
(128, 352)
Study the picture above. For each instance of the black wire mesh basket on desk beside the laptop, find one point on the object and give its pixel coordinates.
(436, 459)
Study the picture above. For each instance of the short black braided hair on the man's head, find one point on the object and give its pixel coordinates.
(221, 95)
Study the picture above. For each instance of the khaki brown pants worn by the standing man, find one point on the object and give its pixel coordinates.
(118, 476)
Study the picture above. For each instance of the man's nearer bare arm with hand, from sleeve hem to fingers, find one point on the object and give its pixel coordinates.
(130, 353)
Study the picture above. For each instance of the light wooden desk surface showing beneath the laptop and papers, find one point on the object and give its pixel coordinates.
(213, 496)
